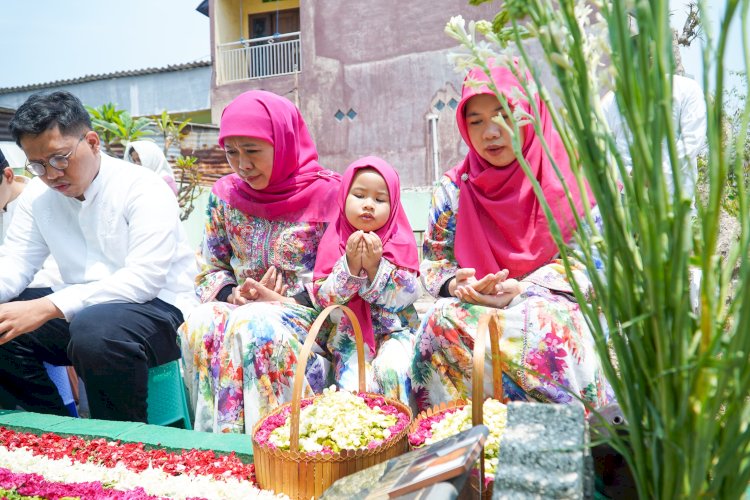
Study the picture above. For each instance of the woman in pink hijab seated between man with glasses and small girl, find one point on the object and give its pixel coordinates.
(264, 223)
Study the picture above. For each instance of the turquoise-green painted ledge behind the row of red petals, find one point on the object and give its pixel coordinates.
(133, 432)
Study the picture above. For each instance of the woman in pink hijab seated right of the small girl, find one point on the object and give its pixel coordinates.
(488, 250)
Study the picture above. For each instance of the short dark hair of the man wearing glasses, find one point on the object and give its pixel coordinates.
(42, 112)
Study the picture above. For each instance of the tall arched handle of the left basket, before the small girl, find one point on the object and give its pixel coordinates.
(299, 374)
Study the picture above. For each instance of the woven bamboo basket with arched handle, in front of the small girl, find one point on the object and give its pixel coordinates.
(302, 475)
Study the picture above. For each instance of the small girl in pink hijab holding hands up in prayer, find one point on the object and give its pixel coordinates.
(368, 260)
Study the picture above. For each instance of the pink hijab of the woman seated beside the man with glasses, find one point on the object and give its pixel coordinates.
(299, 190)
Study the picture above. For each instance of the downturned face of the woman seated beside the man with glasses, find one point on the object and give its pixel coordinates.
(251, 159)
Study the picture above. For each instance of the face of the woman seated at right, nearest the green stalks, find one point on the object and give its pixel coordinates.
(491, 141)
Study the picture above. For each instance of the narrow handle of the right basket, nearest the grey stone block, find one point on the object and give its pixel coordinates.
(486, 322)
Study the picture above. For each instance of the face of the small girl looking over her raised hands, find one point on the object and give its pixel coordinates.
(368, 204)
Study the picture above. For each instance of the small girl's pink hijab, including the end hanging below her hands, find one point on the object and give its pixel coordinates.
(399, 246)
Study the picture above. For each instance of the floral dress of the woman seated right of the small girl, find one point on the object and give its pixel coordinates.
(545, 342)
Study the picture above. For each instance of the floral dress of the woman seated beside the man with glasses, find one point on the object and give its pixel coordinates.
(240, 360)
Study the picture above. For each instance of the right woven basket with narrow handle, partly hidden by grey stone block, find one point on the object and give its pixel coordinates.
(487, 322)
